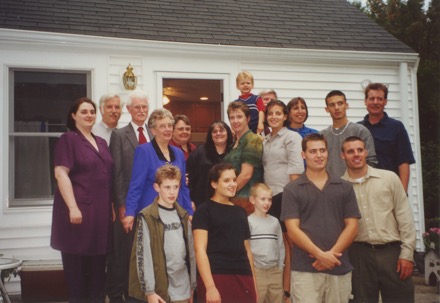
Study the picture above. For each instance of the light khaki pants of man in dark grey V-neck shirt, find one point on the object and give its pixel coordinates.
(320, 288)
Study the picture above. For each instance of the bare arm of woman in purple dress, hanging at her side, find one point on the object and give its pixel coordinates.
(66, 189)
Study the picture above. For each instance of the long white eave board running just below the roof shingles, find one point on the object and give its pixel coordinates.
(35, 38)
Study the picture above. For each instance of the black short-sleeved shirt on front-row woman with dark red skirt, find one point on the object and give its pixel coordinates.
(228, 228)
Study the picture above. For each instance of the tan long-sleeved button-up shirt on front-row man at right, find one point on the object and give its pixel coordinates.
(385, 210)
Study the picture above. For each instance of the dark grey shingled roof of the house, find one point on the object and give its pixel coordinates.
(302, 24)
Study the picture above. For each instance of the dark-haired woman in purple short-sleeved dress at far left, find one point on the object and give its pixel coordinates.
(82, 212)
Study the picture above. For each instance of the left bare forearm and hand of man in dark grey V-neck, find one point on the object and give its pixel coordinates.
(328, 259)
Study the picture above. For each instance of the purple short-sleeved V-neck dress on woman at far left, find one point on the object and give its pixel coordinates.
(91, 177)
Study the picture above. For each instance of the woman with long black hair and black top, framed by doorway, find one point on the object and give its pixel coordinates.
(218, 143)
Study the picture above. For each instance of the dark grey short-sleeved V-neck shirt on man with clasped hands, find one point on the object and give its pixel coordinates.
(321, 214)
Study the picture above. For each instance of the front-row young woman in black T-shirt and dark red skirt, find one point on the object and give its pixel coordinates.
(221, 242)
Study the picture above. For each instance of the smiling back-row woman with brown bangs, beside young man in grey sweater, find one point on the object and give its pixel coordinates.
(298, 114)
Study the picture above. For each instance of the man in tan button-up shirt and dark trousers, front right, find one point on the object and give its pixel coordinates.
(382, 253)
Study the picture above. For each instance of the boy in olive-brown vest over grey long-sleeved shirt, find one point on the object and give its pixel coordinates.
(162, 265)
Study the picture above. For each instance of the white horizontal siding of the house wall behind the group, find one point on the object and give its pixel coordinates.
(25, 232)
